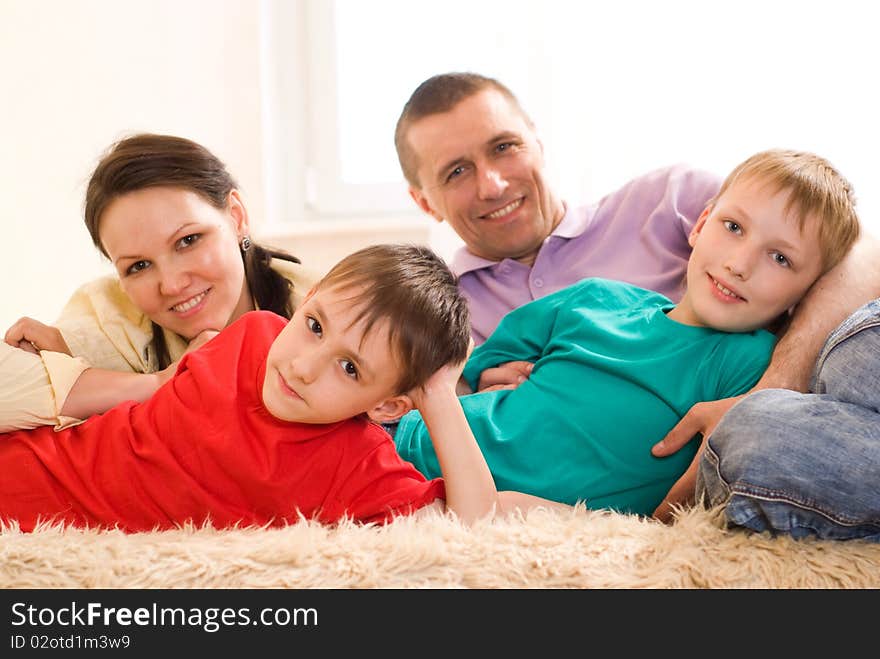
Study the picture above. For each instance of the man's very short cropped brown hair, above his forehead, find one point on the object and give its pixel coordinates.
(436, 95)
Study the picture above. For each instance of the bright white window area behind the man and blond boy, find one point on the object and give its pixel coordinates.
(615, 89)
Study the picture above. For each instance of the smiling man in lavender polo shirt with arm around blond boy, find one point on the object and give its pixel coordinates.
(472, 158)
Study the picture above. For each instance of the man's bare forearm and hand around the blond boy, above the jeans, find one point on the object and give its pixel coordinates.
(843, 289)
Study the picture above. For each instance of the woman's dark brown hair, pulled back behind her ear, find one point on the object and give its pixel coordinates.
(148, 160)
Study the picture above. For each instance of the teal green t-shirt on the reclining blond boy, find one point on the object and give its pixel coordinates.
(612, 375)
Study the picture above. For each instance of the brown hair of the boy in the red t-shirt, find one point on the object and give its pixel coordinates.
(413, 288)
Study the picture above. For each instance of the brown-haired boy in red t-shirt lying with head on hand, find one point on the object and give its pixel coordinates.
(272, 421)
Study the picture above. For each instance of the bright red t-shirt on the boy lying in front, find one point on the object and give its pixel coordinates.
(204, 448)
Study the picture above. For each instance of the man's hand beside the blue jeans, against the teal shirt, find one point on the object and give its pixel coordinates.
(700, 419)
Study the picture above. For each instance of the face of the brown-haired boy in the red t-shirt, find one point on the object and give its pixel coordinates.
(323, 368)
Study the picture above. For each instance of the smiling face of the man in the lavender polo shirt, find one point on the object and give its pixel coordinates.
(480, 167)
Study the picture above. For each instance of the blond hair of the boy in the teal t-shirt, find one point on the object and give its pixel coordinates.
(815, 188)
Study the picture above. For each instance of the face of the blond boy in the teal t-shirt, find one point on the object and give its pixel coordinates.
(751, 262)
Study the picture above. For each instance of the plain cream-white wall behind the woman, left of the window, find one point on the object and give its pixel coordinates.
(78, 75)
